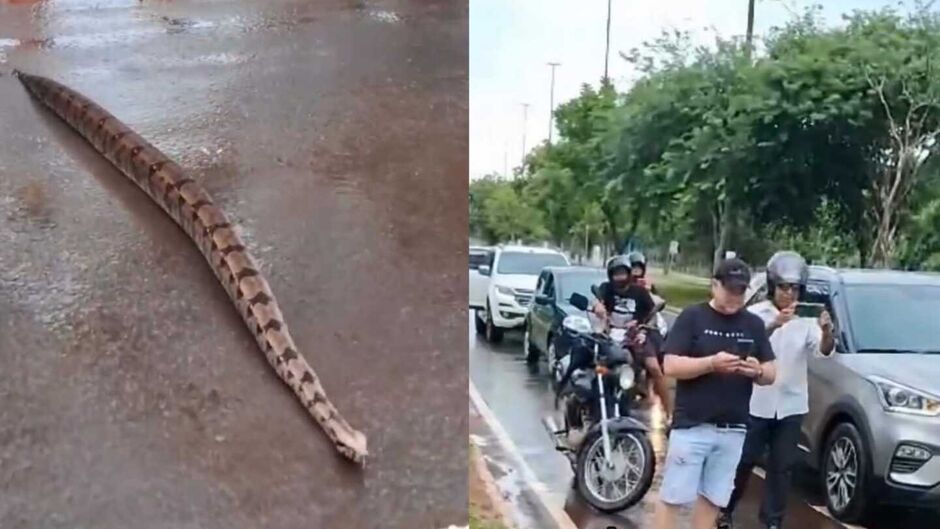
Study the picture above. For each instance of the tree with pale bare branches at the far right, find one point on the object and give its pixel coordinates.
(860, 109)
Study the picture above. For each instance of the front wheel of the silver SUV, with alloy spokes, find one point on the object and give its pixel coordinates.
(845, 474)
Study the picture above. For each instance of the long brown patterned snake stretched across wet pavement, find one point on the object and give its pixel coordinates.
(193, 209)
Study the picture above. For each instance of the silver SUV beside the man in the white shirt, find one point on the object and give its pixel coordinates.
(873, 428)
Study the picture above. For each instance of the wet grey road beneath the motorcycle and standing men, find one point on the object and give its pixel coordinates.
(519, 397)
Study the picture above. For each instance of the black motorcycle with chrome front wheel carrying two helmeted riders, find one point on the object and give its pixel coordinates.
(609, 451)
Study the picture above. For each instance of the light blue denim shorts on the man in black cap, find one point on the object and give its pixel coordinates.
(701, 461)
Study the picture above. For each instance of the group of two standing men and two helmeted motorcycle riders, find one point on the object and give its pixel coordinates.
(741, 382)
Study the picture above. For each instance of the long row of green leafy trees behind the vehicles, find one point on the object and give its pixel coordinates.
(827, 143)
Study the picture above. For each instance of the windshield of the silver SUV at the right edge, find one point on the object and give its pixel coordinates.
(895, 318)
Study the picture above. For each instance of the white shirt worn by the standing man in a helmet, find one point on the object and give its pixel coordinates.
(792, 344)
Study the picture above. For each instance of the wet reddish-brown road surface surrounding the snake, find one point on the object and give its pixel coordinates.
(131, 395)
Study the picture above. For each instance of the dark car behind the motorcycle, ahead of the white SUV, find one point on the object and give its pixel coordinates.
(550, 306)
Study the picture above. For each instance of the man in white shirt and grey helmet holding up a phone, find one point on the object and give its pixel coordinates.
(777, 410)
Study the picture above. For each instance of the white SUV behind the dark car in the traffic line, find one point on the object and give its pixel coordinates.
(512, 277)
